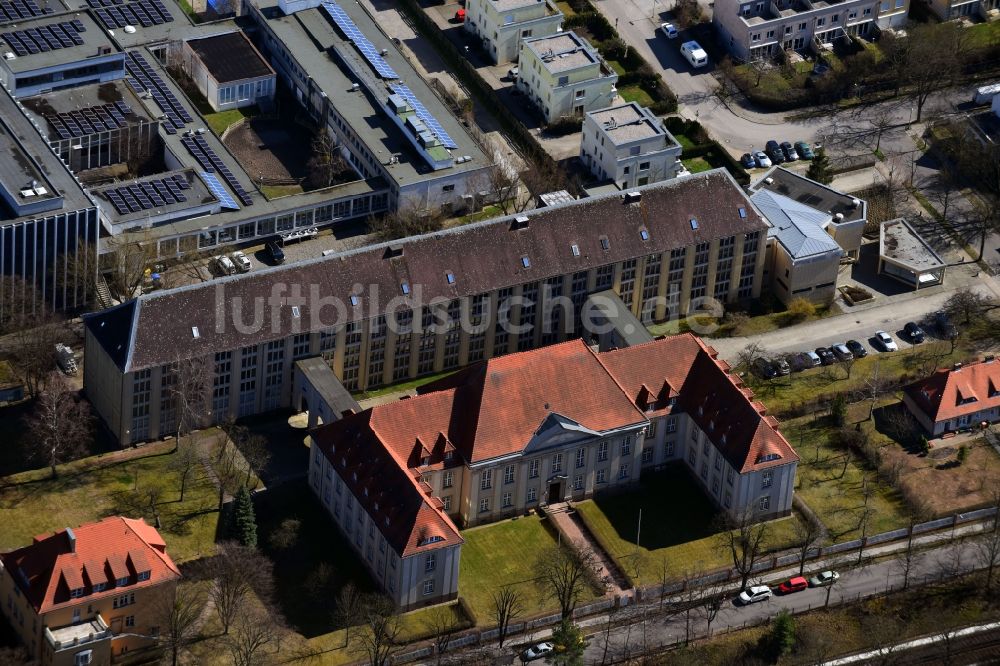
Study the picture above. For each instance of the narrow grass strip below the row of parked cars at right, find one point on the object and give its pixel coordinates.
(822, 383)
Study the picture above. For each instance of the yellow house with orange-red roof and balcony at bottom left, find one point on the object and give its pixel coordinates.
(88, 594)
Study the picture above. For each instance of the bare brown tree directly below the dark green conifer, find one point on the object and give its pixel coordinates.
(238, 574)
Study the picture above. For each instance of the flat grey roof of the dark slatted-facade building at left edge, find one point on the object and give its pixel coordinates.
(27, 158)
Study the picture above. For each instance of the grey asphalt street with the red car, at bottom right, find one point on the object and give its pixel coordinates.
(863, 581)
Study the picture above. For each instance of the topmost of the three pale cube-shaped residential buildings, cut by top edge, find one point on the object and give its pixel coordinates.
(502, 24)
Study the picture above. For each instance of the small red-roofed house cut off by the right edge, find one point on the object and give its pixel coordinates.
(956, 397)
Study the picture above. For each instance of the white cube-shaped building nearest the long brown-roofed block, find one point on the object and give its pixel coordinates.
(629, 145)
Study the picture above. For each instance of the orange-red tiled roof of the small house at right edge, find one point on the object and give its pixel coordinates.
(949, 393)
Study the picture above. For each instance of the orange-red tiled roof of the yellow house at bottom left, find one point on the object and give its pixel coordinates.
(49, 568)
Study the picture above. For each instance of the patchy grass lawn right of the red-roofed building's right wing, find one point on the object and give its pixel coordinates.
(838, 501)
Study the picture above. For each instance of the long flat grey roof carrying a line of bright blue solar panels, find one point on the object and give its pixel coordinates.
(309, 37)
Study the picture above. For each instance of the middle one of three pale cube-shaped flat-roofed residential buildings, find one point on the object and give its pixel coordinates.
(565, 76)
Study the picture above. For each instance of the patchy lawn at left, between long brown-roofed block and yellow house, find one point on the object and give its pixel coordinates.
(93, 488)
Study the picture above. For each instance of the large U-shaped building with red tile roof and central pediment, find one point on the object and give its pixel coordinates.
(515, 432)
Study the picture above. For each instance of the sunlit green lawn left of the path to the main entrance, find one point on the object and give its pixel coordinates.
(504, 554)
